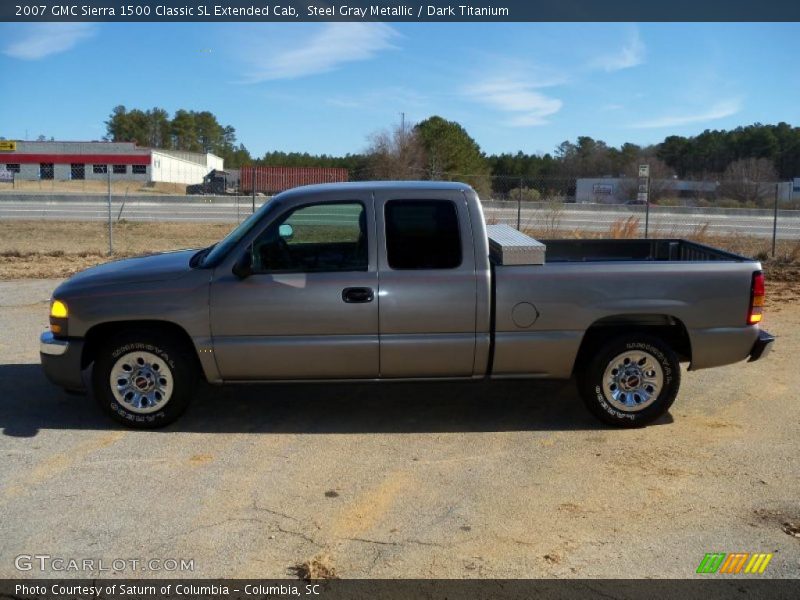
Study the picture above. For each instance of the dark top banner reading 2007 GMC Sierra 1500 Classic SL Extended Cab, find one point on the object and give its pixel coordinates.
(399, 10)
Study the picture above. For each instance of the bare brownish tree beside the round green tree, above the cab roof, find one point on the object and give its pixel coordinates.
(396, 154)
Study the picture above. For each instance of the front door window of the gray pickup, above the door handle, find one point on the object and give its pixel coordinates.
(316, 238)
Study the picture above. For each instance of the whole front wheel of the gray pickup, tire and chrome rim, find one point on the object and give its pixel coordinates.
(144, 380)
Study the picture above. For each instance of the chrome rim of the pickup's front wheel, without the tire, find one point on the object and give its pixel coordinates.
(141, 382)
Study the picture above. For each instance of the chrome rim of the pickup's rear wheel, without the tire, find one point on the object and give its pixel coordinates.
(633, 380)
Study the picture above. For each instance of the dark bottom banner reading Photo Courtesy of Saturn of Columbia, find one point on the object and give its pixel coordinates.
(405, 589)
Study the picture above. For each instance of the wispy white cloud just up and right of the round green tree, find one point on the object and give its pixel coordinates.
(527, 106)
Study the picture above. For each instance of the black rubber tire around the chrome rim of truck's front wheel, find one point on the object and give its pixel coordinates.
(171, 357)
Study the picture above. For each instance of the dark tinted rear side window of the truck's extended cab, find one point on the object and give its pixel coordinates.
(422, 234)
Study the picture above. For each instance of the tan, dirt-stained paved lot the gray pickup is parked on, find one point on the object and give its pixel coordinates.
(447, 480)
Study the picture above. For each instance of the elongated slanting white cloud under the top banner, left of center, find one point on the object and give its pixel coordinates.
(333, 45)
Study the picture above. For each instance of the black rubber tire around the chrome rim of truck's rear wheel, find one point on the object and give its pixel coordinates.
(600, 400)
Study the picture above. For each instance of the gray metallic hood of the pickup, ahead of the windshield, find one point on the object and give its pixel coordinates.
(154, 267)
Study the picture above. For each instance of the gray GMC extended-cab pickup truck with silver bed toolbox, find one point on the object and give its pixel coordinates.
(391, 281)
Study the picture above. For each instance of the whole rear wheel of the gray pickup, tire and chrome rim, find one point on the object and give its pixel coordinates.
(631, 380)
